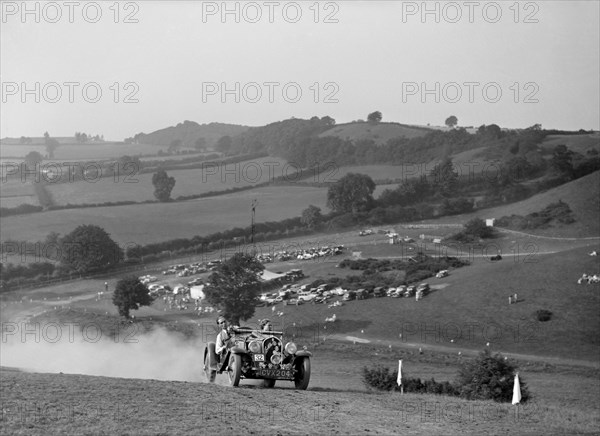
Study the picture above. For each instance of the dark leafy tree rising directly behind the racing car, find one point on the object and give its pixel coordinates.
(234, 286)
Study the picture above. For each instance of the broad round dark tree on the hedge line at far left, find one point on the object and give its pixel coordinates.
(89, 248)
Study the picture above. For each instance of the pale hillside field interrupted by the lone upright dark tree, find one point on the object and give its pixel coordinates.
(138, 187)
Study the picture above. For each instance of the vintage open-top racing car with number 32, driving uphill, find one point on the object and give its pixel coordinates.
(259, 355)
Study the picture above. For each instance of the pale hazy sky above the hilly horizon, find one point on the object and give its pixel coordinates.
(176, 60)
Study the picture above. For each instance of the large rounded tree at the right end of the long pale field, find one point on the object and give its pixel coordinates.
(352, 193)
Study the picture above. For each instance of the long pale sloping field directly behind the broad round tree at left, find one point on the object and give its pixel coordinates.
(155, 222)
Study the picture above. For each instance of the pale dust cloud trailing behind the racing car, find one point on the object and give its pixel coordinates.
(160, 354)
